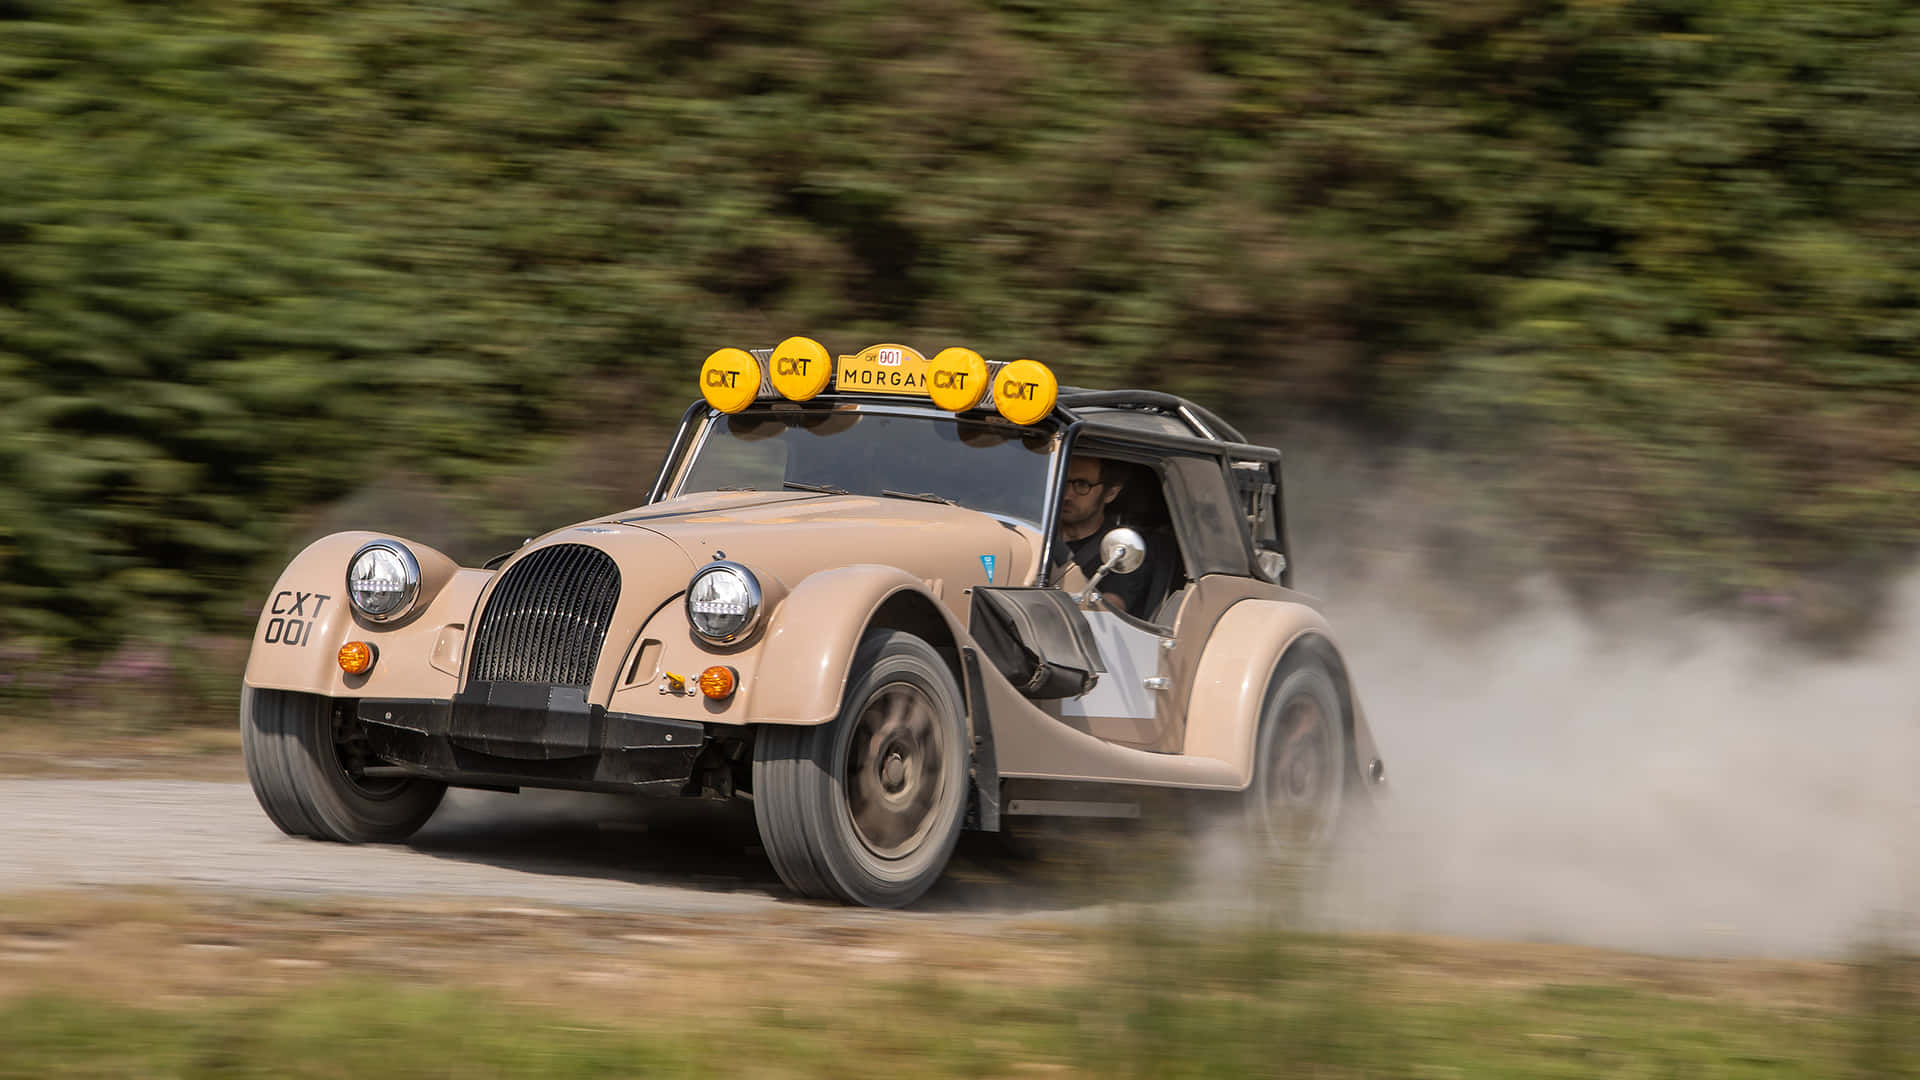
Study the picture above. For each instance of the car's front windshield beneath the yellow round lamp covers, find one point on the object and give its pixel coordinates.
(972, 464)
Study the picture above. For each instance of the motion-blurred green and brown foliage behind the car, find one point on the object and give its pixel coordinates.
(1637, 280)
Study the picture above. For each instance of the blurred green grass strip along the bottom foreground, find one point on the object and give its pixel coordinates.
(1147, 1000)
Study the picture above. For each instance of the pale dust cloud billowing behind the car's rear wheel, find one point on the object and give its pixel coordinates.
(1644, 781)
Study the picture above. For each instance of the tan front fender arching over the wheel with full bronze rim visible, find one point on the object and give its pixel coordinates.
(809, 647)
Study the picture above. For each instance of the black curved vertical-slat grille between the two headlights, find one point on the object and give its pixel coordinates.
(548, 618)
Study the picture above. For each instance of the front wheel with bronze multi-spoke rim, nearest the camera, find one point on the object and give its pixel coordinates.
(869, 808)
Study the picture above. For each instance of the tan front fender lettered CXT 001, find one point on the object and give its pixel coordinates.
(308, 618)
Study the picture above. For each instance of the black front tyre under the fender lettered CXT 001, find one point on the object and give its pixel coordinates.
(300, 775)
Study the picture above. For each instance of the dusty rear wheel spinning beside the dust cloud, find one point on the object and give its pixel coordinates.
(1299, 787)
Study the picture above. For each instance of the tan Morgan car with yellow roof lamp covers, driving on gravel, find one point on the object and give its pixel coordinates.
(884, 597)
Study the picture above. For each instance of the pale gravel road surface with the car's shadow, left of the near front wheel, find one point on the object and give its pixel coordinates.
(539, 847)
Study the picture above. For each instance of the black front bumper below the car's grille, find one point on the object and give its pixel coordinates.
(531, 735)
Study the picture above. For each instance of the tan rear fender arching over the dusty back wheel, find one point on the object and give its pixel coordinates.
(1230, 691)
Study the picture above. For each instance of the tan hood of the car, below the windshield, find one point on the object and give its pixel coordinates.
(794, 535)
